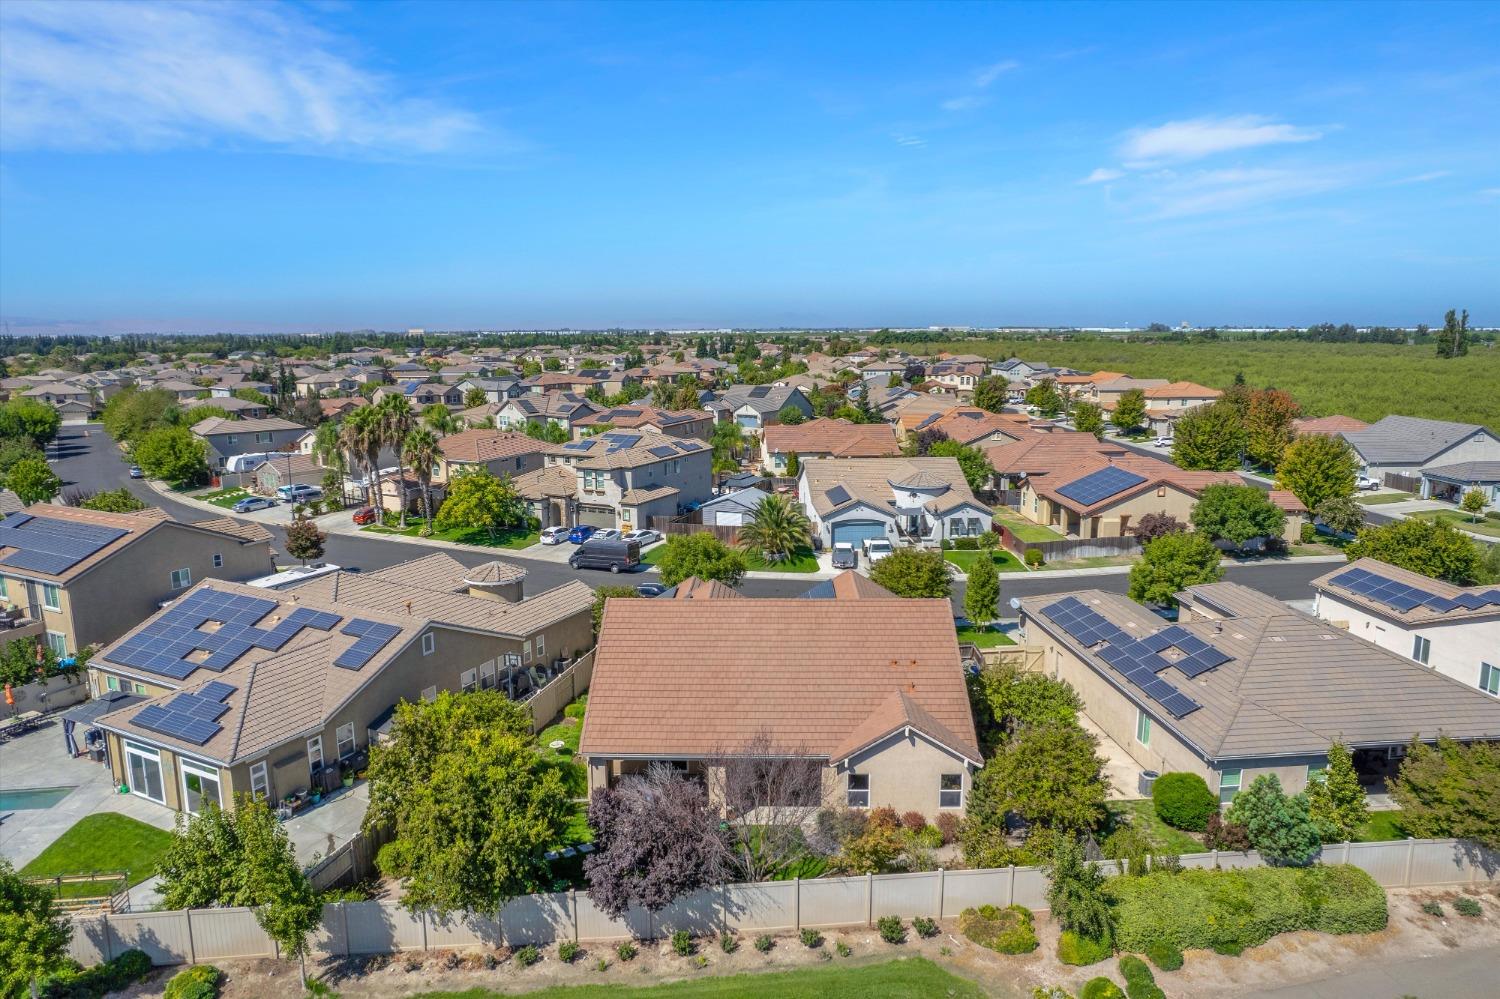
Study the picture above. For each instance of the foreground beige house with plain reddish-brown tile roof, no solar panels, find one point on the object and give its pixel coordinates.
(866, 689)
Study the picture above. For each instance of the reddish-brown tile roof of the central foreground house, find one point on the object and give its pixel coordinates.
(679, 679)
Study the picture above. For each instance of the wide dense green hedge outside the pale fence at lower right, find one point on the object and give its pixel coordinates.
(1228, 911)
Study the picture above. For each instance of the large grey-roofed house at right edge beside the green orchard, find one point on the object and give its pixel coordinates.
(1412, 448)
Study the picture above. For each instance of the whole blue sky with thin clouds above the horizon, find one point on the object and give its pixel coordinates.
(343, 166)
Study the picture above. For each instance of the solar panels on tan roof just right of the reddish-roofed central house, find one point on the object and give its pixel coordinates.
(1139, 661)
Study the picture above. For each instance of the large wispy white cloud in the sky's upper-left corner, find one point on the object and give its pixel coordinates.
(170, 74)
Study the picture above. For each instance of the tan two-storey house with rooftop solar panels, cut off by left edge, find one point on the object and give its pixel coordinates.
(89, 577)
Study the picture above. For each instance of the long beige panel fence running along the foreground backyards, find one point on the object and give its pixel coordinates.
(779, 907)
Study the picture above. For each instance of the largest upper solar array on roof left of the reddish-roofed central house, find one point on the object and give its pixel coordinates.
(166, 644)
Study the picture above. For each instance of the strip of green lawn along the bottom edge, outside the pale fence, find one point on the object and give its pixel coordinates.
(907, 979)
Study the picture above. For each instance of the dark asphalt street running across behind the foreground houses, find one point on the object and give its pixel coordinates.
(86, 458)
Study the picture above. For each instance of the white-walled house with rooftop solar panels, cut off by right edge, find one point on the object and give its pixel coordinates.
(1453, 631)
